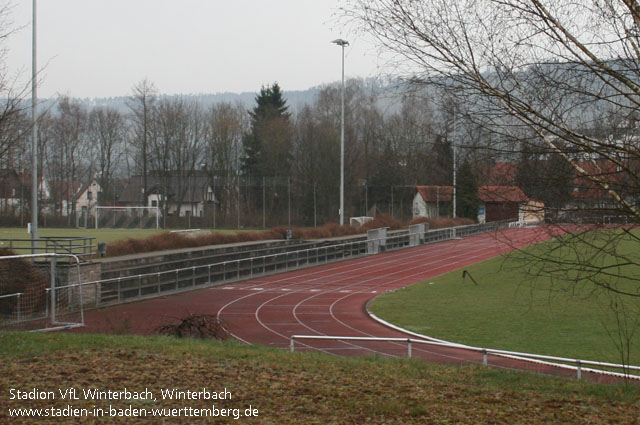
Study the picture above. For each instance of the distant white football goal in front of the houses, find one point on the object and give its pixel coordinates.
(127, 217)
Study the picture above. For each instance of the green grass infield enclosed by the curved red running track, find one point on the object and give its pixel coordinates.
(508, 309)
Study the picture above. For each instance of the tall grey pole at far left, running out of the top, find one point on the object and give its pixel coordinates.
(34, 142)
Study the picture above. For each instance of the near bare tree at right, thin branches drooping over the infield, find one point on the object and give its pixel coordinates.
(567, 74)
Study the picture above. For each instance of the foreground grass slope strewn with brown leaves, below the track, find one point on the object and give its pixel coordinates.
(285, 388)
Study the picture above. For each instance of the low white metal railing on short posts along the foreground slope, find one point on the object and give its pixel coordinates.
(579, 363)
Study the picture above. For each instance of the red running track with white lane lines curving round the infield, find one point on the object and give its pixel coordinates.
(327, 300)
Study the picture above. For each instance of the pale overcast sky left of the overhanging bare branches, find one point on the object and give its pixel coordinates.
(102, 48)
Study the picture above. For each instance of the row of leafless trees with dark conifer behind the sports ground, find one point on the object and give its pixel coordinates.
(270, 165)
